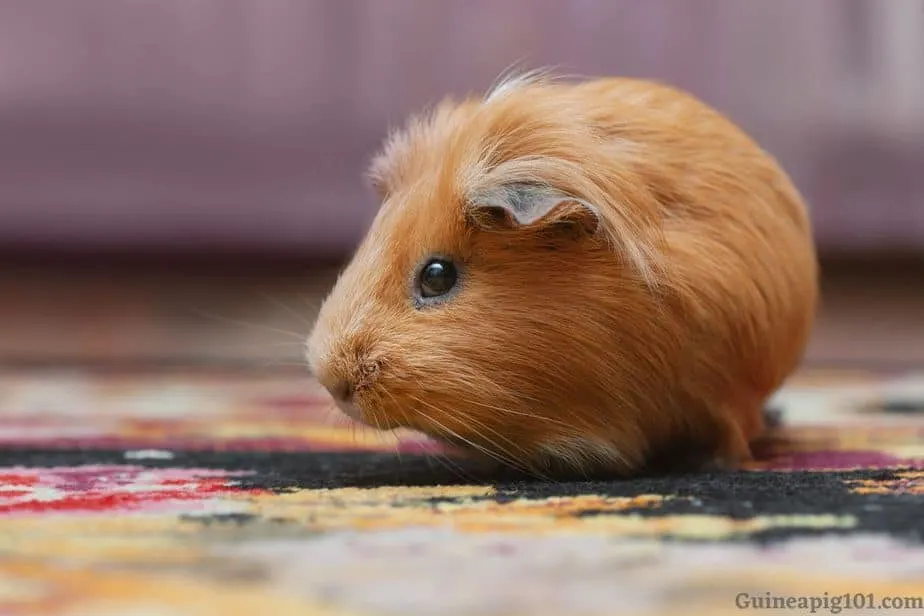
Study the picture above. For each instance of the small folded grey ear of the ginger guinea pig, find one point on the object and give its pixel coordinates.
(517, 206)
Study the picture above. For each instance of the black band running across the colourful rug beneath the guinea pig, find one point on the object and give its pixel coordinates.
(737, 496)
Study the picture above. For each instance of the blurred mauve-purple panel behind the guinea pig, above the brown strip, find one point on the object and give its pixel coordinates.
(168, 124)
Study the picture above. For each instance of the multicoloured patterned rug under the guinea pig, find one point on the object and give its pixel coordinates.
(201, 493)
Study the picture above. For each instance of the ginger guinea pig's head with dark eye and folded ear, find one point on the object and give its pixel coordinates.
(494, 304)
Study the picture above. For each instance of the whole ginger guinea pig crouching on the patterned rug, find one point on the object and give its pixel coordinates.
(585, 275)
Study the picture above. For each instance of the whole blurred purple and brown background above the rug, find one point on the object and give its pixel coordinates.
(181, 179)
